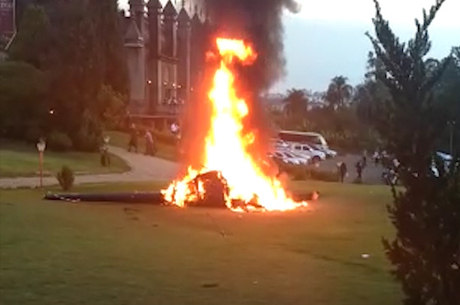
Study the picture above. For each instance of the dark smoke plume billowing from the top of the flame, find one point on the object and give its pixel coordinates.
(259, 22)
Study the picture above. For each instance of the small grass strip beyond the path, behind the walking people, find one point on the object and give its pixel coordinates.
(164, 151)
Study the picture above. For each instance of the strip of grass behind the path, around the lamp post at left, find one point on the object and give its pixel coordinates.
(22, 160)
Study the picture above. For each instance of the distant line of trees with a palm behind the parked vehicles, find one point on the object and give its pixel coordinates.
(350, 116)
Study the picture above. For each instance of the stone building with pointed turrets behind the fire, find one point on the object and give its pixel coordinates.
(165, 52)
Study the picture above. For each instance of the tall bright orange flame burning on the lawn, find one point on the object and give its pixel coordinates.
(227, 147)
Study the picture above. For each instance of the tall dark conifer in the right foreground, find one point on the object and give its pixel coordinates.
(426, 212)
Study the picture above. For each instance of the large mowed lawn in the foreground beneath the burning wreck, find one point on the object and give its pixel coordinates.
(76, 253)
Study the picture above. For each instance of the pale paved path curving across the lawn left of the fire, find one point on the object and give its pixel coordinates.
(143, 168)
